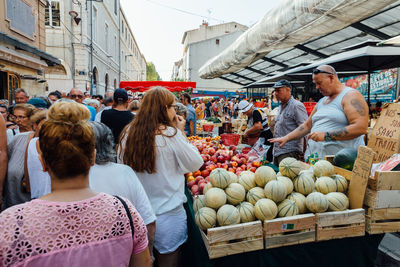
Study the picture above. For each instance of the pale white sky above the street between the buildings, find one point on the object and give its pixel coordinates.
(158, 25)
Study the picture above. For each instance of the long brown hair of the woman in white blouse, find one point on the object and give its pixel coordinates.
(137, 141)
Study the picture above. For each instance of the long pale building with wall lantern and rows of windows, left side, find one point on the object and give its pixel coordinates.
(95, 44)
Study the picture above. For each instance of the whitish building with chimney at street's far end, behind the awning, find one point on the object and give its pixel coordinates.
(202, 44)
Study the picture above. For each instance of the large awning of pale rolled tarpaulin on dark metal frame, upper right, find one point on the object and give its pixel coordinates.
(299, 32)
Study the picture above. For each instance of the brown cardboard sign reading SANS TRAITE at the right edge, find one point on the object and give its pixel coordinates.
(385, 136)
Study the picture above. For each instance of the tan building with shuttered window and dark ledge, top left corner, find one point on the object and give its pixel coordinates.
(23, 60)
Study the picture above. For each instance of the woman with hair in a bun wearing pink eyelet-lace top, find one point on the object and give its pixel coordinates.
(73, 225)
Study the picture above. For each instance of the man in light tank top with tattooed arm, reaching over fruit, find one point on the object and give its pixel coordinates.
(339, 120)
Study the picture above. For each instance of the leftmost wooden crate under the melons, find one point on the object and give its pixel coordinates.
(233, 239)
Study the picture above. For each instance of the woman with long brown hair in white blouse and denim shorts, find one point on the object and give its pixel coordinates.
(155, 146)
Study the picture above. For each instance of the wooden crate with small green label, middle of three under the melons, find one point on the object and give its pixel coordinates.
(289, 231)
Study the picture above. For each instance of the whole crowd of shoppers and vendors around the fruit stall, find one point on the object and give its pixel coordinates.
(99, 181)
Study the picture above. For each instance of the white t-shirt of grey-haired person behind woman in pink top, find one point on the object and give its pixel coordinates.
(121, 180)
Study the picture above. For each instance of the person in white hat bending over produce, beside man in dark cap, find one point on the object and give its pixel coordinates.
(257, 124)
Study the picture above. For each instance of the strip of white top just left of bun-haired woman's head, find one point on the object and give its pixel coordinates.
(40, 181)
